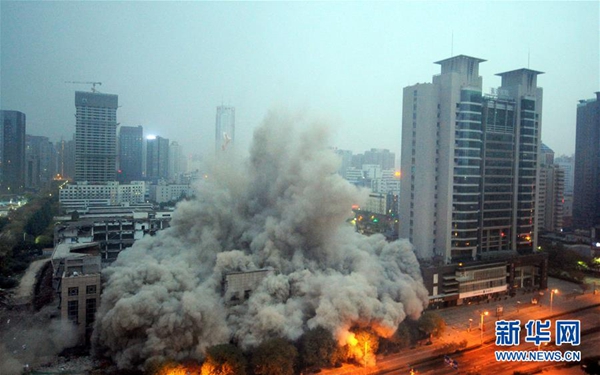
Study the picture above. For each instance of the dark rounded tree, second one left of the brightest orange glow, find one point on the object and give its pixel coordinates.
(274, 357)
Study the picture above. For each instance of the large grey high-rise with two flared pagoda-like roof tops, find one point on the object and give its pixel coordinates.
(469, 163)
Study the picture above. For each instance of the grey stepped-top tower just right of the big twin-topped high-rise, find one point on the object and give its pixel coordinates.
(550, 192)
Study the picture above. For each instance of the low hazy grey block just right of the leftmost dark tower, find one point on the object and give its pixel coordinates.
(40, 165)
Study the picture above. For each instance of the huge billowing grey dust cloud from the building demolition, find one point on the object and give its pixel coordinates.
(285, 208)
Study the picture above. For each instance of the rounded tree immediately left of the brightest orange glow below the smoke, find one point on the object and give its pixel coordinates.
(318, 348)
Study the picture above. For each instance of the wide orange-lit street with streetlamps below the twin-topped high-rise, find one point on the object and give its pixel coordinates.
(567, 303)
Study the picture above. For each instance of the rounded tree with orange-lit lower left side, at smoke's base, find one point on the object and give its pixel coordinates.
(225, 359)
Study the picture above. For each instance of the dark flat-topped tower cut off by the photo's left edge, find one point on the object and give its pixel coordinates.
(12, 151)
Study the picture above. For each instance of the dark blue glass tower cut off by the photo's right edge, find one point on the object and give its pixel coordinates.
(586, 197)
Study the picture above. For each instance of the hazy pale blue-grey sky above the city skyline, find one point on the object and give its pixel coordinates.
(172, 63)
